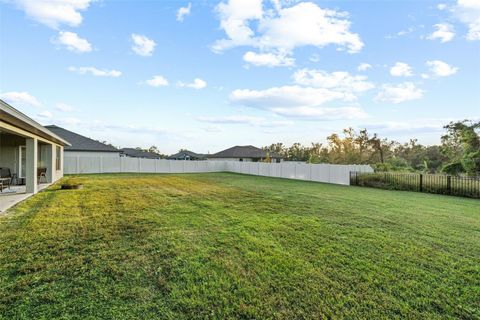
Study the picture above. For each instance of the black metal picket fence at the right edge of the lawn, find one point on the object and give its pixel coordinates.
(431, 183)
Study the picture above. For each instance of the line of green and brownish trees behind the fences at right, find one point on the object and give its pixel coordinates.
(458, 152)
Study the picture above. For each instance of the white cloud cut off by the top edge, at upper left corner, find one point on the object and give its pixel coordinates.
(54, 13)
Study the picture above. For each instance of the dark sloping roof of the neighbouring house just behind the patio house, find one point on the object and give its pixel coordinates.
(79, 142)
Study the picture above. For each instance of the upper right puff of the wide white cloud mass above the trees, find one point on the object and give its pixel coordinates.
(339, 80)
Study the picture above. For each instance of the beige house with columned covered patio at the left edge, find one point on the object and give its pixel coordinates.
(28, 150)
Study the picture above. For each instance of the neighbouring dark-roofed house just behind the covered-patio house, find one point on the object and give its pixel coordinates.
(83, 146)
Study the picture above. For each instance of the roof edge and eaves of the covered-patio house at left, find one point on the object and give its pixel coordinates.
(15, 118)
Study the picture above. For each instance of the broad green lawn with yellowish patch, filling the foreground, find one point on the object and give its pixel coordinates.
(222, 246)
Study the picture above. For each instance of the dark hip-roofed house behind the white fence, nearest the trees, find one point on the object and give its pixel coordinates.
(245, 153)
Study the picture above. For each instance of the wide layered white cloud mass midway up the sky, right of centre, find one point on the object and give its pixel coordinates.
(305, 99)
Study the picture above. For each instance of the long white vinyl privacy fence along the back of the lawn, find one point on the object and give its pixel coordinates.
(329, 173)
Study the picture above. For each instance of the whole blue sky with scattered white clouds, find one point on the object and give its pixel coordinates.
(207, 75)
